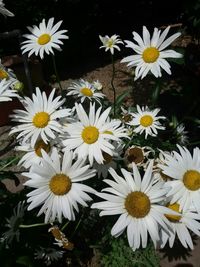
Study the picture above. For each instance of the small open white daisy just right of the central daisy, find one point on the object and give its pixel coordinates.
(146, 121)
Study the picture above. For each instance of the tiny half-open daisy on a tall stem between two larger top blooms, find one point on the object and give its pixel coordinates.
(110, 43)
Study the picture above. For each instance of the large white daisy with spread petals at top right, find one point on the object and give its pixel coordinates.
(151, 54)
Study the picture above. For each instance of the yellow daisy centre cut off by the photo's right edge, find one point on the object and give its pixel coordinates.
(191, 180)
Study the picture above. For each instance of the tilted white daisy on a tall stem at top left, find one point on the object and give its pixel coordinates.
(43, 38)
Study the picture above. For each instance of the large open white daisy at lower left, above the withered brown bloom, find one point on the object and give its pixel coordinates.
(58, 186)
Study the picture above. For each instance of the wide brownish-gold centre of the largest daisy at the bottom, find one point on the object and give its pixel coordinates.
(137, 204)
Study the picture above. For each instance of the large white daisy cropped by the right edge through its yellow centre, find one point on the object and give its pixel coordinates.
(184, 170)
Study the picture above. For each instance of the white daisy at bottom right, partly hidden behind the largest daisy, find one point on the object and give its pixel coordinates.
(181, 227)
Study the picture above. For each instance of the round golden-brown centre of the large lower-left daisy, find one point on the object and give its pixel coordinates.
(60, 184)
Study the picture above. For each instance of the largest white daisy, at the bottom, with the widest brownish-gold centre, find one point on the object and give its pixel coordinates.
(137, 202)
